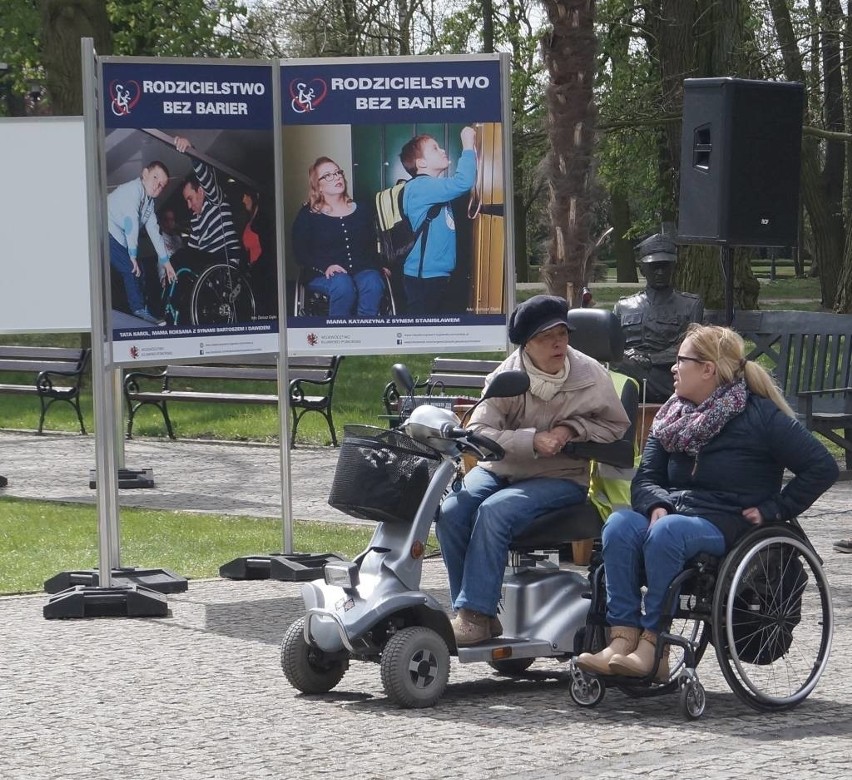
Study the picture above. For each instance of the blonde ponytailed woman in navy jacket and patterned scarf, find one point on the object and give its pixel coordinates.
(712, 469)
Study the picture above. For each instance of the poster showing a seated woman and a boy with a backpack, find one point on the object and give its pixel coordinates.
(353, 130)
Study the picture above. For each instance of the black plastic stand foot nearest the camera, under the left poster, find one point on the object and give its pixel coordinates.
(87, 602)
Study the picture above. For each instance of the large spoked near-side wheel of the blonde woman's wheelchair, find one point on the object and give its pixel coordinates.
(772, 619)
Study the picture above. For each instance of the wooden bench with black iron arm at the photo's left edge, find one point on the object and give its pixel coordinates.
(51, 373)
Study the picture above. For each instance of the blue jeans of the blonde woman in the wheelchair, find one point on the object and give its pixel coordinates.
(632, 552)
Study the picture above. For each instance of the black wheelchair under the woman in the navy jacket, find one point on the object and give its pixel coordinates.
(765, 607)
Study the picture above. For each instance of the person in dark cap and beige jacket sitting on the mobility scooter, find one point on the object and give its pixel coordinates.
(571, 398)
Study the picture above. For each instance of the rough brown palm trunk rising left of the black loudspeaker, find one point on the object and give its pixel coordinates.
(569, 56)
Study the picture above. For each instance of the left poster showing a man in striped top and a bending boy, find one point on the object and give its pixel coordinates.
(188, 151)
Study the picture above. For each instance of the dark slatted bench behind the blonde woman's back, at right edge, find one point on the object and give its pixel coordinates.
(810, 356)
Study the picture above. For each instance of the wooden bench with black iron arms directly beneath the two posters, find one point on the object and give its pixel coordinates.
(311, 388)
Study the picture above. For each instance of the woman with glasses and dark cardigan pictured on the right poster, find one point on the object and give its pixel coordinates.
(334, 239)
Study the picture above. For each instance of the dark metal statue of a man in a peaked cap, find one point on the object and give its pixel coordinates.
(655, 320)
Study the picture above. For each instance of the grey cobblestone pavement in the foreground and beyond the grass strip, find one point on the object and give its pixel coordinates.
(200, 695)
